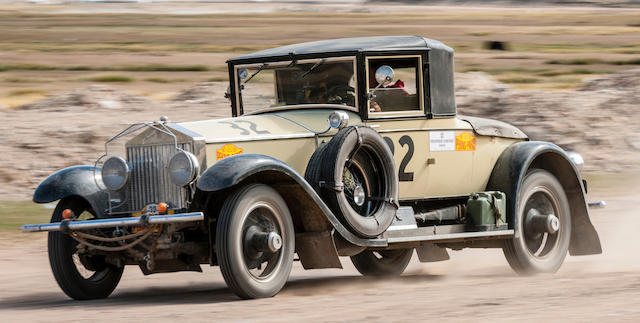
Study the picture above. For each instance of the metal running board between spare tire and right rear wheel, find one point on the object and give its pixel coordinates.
(444, 233)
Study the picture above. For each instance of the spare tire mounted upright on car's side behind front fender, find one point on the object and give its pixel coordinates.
(355, 175)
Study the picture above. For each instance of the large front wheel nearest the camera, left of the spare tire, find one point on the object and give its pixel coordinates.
(255, 241)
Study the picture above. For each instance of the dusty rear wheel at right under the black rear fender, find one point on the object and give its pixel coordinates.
(543, 224)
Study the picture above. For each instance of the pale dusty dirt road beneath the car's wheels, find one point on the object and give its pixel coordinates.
(474, 285)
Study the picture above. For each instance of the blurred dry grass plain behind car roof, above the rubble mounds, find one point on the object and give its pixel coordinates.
(168, 52)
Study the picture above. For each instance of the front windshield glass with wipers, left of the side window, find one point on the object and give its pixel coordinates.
(321, 81)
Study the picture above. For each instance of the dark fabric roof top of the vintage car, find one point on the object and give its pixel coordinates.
(349, 46)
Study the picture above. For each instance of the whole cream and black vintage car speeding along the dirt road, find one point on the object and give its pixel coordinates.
(348, 147)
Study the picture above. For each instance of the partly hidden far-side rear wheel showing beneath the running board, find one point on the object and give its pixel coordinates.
(382, 262)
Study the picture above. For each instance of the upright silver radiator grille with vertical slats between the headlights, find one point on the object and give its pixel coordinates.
(149, 179)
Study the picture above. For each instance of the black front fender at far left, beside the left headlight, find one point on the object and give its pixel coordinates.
(73, 181)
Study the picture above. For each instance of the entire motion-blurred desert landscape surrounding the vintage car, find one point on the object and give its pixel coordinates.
(73, 74)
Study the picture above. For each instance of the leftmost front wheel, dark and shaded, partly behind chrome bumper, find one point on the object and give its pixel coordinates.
(80, 277)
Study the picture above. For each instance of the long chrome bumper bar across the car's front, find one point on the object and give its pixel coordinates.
(114, 222)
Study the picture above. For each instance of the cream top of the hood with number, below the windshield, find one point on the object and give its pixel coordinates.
(267, 126)
